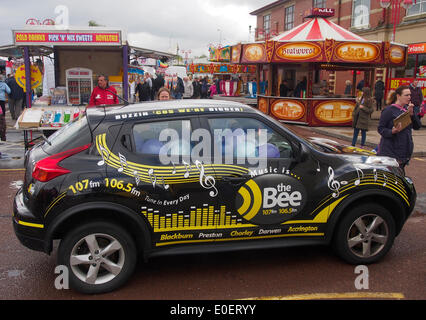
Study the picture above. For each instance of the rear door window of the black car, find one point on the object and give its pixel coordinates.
(169, 137)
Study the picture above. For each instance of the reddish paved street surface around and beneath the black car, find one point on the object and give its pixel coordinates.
(290, 273)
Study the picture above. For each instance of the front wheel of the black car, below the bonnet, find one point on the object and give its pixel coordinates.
(365, 234)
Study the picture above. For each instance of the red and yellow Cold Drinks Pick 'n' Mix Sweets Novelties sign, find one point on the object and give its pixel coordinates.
(66, 38)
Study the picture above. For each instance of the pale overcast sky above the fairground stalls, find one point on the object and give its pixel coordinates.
(157, 24)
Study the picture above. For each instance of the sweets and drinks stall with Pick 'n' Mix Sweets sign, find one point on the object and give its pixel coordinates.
(80, 55)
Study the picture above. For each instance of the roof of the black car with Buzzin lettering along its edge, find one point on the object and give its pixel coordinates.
(156, 109)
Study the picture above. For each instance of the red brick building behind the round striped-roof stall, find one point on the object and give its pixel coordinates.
(363, 17)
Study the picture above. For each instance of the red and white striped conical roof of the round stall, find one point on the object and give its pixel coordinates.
(318, 29)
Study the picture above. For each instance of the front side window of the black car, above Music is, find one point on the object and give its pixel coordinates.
(259, 139)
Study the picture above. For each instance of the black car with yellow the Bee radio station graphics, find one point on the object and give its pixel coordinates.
(194, 176)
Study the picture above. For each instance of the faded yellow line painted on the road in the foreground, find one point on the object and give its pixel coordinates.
(345, 295)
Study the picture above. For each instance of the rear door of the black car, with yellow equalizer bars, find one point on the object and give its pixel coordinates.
(153, 168)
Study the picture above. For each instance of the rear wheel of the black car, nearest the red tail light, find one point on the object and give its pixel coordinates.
(100, 257)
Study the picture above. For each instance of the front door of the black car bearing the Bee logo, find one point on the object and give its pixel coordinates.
(276, 192)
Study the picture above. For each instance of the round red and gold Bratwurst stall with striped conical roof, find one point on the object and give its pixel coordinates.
(304, 52)
